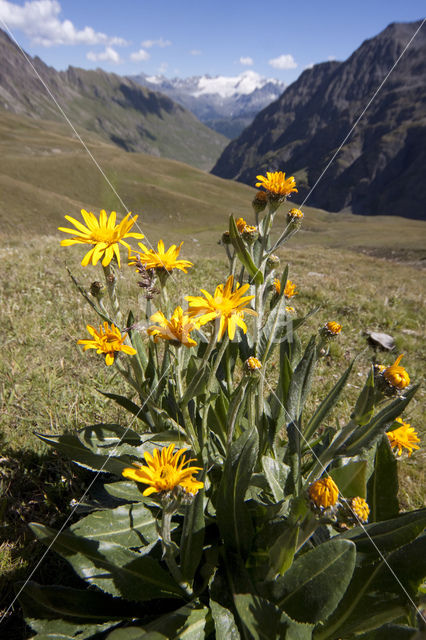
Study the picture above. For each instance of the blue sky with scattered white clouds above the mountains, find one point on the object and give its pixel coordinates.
(188, 37)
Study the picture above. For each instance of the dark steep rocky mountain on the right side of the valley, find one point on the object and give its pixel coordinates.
(381, 166)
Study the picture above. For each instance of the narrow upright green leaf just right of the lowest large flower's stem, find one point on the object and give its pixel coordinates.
(192, 539)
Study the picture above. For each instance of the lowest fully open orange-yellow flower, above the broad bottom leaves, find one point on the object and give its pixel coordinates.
(165, 470)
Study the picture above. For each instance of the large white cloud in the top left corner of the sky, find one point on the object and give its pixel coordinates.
(39, 20)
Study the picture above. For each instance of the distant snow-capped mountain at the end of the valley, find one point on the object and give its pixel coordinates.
(223, 103)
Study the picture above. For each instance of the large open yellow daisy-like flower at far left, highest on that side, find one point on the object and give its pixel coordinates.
(104, 234)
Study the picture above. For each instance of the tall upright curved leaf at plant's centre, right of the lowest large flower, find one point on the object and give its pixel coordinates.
(232, 514)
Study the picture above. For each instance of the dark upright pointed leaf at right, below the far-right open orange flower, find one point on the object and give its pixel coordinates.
(382, 488)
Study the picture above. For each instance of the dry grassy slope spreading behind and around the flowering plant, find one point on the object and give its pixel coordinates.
(48, 384)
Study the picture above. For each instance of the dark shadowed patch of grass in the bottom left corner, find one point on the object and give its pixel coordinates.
(33, 488)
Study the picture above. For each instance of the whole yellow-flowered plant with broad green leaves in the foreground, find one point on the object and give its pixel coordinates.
(234, 506)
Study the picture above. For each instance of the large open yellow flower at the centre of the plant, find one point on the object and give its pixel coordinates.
(225, 304)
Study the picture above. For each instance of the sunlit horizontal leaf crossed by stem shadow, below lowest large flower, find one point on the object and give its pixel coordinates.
(128, 525)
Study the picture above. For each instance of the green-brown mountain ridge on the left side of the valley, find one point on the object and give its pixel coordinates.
(133, 117)
